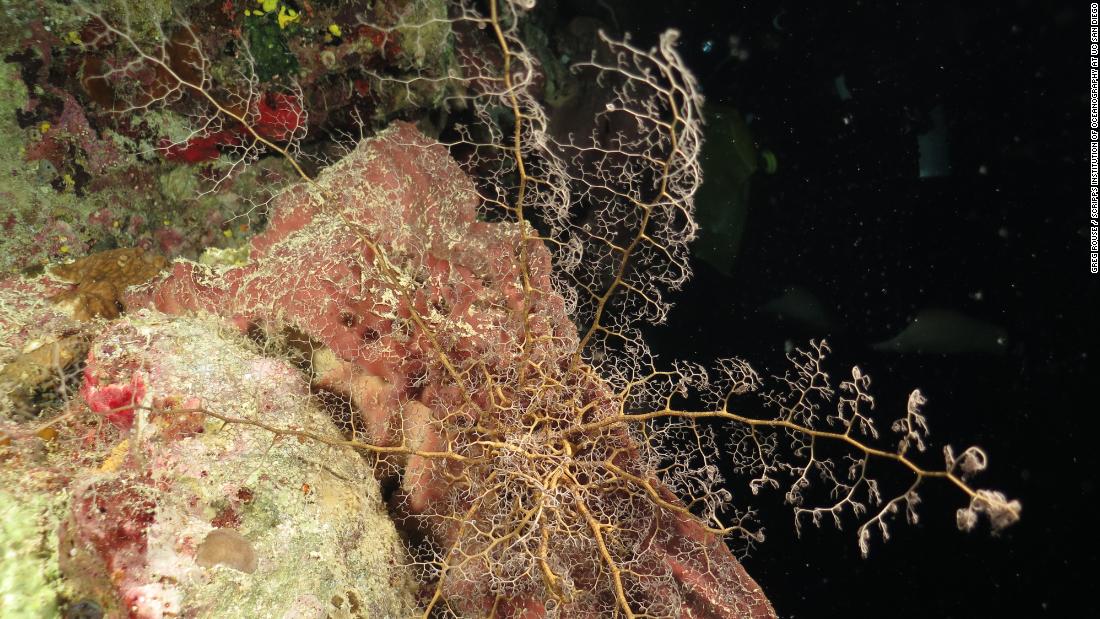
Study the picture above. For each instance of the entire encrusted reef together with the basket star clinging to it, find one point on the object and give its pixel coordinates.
(459, 325)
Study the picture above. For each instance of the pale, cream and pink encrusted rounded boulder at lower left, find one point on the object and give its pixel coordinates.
(188, 516)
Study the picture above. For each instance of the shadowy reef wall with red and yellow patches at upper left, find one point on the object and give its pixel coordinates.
(93, 163)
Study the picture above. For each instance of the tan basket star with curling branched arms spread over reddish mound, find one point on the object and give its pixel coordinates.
(553, 465)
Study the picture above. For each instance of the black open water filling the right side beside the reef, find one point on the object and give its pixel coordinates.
(999, 236)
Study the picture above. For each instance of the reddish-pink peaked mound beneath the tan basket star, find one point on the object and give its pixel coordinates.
(383, 331)
